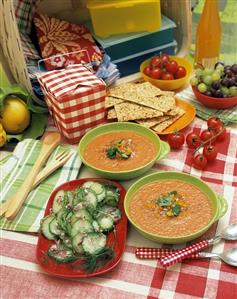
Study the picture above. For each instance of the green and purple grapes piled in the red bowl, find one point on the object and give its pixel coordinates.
(220, 82)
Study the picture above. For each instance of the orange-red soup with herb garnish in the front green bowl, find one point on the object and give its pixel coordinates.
(170, 208)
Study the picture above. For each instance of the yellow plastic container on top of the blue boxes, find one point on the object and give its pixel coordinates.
(118, 17)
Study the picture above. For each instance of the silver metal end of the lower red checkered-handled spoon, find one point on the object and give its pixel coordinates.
(228, 256)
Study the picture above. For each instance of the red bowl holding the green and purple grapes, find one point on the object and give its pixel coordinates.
(211, 102)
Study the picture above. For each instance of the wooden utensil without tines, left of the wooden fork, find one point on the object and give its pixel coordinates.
(49, 144)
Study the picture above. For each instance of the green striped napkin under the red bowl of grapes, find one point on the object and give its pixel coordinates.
(226, 115)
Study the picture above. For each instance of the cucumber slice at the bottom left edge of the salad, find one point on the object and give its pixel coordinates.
(61, 254)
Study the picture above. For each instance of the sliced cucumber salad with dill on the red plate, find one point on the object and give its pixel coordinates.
(79, 223)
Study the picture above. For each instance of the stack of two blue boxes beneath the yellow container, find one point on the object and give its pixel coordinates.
(129, 50)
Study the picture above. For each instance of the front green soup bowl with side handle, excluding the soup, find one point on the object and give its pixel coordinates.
(219, 204)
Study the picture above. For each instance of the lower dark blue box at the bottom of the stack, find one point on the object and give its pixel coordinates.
(131, 64)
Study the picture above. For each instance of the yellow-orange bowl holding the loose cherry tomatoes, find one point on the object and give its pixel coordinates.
(169, 84)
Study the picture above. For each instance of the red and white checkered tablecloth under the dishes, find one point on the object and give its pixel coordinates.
(21, 277)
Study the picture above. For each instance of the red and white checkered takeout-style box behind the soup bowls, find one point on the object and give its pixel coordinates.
(75, 98)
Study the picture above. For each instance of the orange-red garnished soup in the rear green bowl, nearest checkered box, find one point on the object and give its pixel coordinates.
(120, 151)
